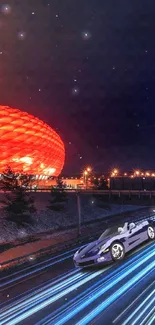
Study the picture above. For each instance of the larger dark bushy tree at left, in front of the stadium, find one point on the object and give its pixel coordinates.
(17, 203)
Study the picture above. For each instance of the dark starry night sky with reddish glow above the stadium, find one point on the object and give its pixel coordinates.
(87, 68)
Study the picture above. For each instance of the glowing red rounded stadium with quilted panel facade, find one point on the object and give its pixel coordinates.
(27, 144)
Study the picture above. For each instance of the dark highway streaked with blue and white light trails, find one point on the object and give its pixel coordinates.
(52, 291)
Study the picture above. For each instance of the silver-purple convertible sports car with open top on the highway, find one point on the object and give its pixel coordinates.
(114, 243)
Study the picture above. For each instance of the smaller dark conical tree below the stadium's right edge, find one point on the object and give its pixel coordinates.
(58, 197)
